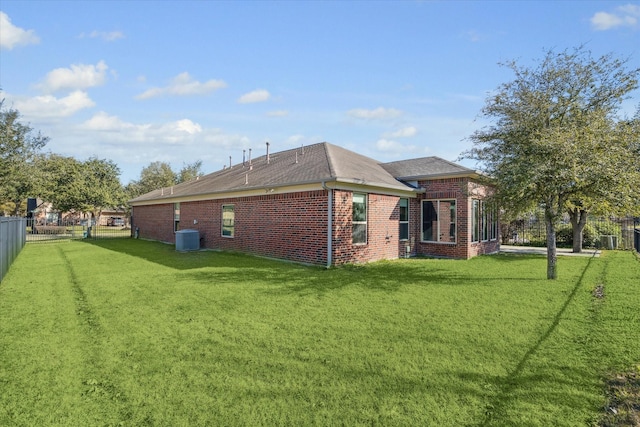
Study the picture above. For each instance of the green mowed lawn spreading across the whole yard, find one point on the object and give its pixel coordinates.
(129, 332)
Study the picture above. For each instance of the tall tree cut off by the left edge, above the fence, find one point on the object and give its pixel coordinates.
(19, 144)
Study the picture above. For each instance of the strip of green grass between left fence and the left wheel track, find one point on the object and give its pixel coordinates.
(41, 344)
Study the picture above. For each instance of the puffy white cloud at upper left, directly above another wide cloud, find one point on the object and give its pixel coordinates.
(77, 76)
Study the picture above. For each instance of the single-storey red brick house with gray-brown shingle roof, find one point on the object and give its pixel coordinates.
(323, 204)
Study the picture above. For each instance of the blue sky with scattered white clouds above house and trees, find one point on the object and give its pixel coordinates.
(143, 81)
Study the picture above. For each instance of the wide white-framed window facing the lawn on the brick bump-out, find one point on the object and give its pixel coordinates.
(439, 221)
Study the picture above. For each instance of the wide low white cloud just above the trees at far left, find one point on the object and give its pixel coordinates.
(49, 106)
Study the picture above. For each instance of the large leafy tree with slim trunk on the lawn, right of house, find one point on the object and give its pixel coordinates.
(551, 128)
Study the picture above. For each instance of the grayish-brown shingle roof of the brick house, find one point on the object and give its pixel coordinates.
(315, 163)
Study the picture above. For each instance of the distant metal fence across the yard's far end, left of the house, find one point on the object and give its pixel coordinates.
(71, 230)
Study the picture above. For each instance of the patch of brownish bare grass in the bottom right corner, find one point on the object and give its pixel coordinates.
(623, 392)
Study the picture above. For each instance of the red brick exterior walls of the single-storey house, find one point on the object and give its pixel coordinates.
(294, 226)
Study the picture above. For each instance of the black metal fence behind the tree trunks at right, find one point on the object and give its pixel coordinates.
(599, 232)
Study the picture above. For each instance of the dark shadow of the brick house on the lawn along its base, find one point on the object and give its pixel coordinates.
(291, 278)
